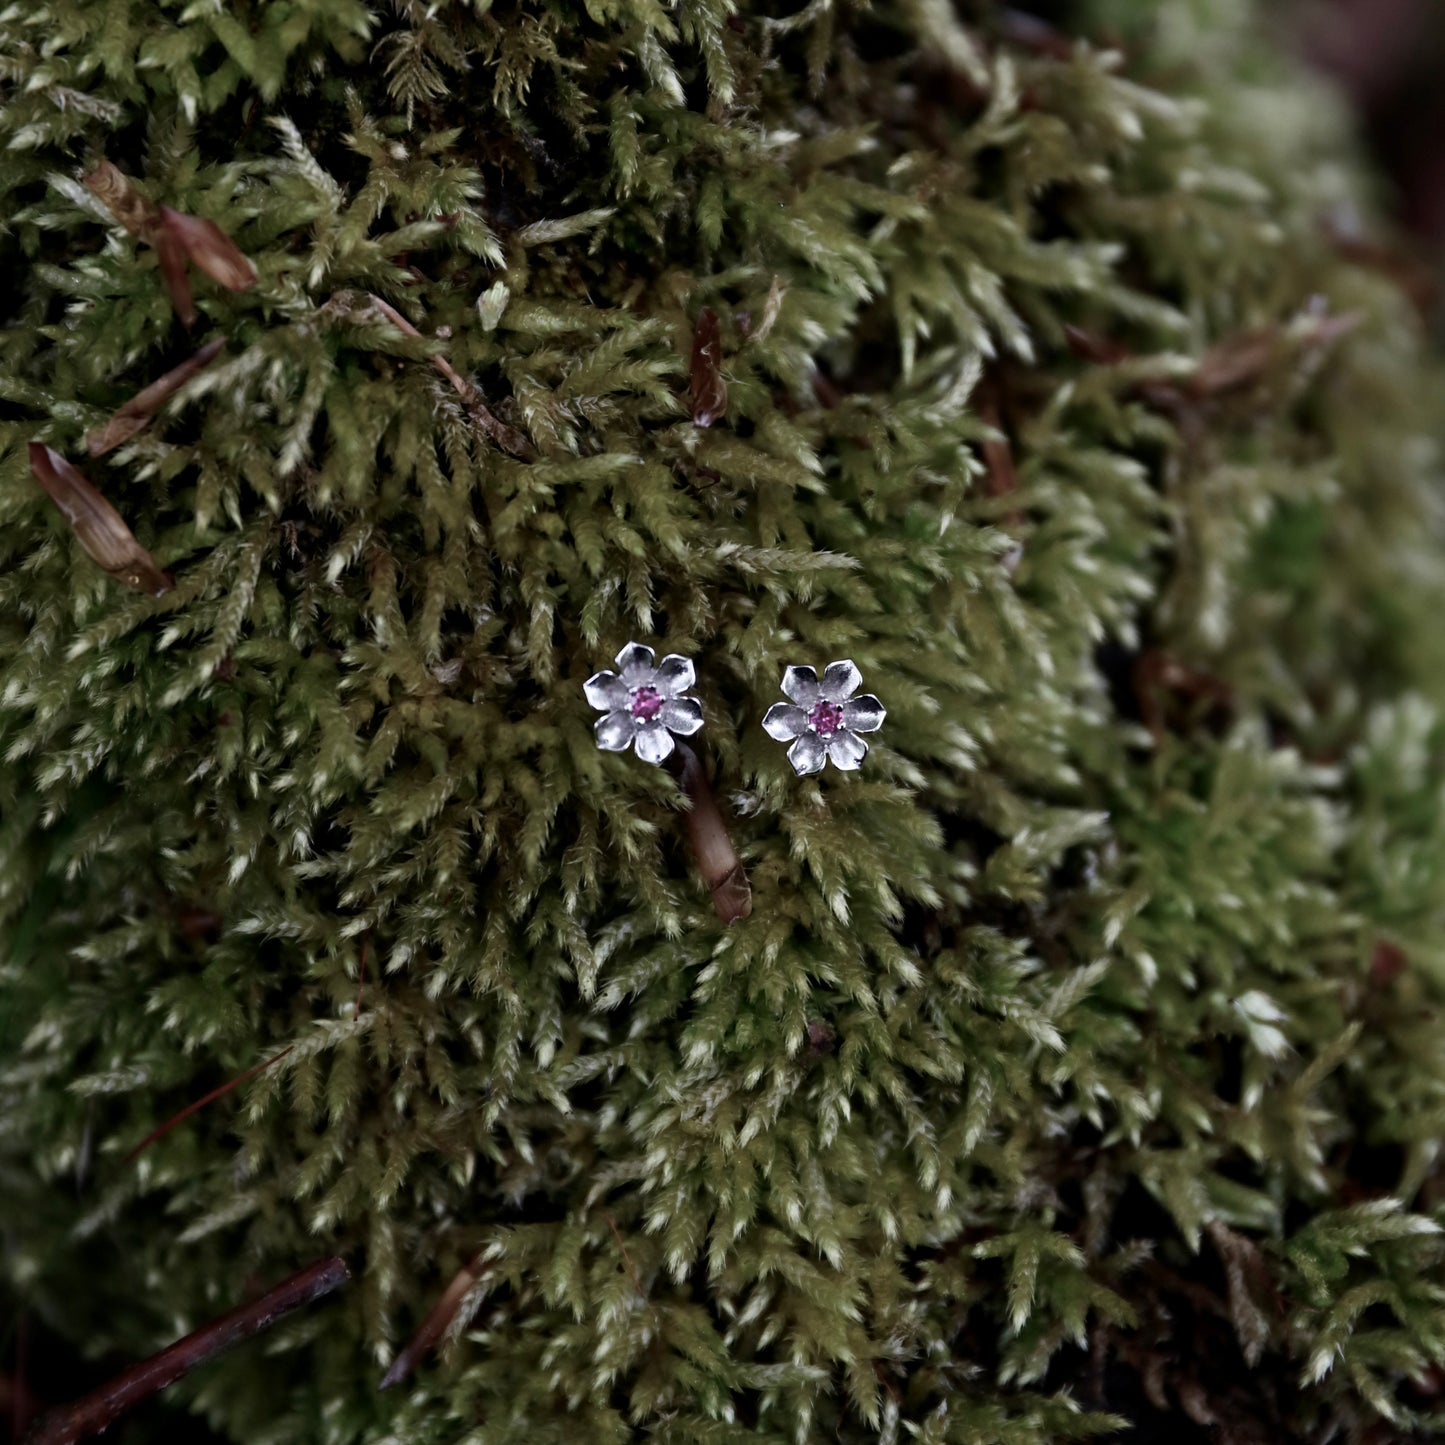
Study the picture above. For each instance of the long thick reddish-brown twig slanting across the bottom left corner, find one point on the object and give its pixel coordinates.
(100, 1410)
